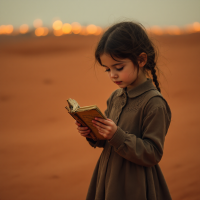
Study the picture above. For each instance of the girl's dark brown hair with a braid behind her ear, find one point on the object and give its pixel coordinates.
(129, 40)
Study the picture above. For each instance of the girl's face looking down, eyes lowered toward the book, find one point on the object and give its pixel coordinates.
(123, 72)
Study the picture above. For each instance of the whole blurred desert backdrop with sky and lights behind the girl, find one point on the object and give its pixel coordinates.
(47, 56)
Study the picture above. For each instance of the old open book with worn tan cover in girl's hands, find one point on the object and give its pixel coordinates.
(85, 115)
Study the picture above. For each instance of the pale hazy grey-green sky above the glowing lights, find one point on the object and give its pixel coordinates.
(100, 12)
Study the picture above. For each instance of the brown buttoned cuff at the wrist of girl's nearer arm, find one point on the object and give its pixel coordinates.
(118, 138)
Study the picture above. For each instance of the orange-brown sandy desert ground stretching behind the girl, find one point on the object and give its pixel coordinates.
(42, 156)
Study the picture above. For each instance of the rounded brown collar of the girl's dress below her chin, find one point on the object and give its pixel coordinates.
(137, 91)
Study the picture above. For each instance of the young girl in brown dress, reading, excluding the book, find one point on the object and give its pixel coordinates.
(138, 120)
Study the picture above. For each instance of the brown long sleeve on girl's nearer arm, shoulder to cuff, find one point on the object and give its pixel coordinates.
(147, 150)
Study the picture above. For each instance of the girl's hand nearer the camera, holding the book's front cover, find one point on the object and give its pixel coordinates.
(106, 127)
